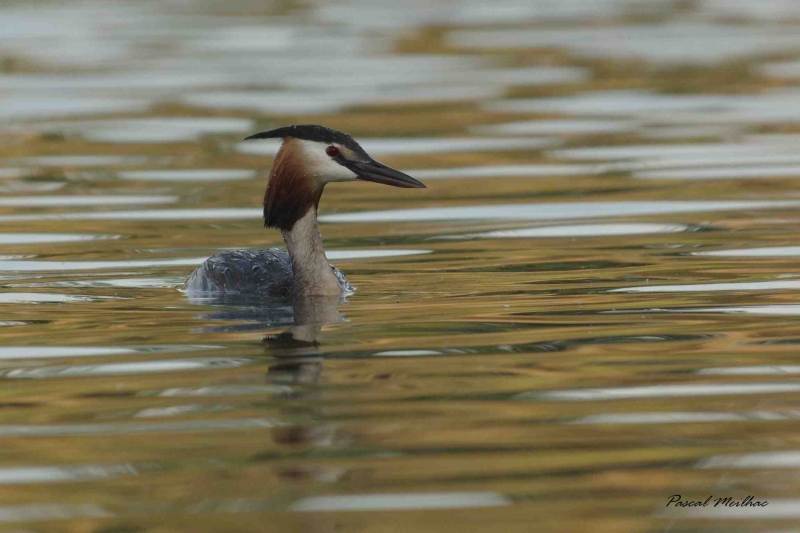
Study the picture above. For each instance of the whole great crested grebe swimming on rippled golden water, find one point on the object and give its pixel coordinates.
(310, 157)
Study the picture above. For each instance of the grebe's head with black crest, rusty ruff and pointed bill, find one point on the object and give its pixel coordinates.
(310, 157)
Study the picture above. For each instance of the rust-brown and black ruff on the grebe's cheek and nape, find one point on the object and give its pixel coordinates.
(291, 190)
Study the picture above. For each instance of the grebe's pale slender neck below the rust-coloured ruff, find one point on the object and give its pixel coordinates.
(313, 275)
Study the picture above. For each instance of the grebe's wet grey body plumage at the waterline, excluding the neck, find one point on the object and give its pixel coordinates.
(262, 272)
